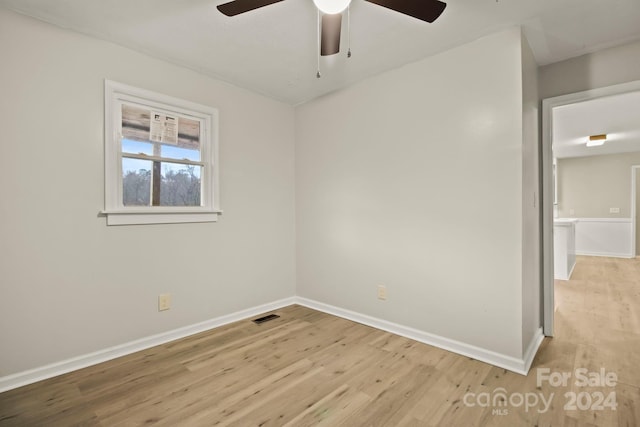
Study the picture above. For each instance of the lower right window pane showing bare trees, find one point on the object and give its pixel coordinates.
(181, 185)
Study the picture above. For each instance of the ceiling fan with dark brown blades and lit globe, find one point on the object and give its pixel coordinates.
(425, 10)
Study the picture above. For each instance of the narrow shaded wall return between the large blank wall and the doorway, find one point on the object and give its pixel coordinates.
(531, 287)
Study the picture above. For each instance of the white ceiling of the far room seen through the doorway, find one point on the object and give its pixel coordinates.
(617, 116)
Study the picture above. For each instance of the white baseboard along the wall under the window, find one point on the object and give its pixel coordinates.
(31, 376)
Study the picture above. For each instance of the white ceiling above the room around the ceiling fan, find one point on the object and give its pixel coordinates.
(273, 50)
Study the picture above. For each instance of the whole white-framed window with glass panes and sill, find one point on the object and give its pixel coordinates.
(160, 158)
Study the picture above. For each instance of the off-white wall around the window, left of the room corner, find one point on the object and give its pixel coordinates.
(71, 285)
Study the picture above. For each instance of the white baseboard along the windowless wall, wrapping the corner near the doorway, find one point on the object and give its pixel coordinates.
(520, 366)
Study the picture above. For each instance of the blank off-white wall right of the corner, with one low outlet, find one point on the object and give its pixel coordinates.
(413, 179)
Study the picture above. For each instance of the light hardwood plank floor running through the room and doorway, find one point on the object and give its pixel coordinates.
(310, 368)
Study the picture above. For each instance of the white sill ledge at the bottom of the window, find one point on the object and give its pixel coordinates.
(164, 216)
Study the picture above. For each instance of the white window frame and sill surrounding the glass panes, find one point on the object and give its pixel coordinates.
(115, 211)
